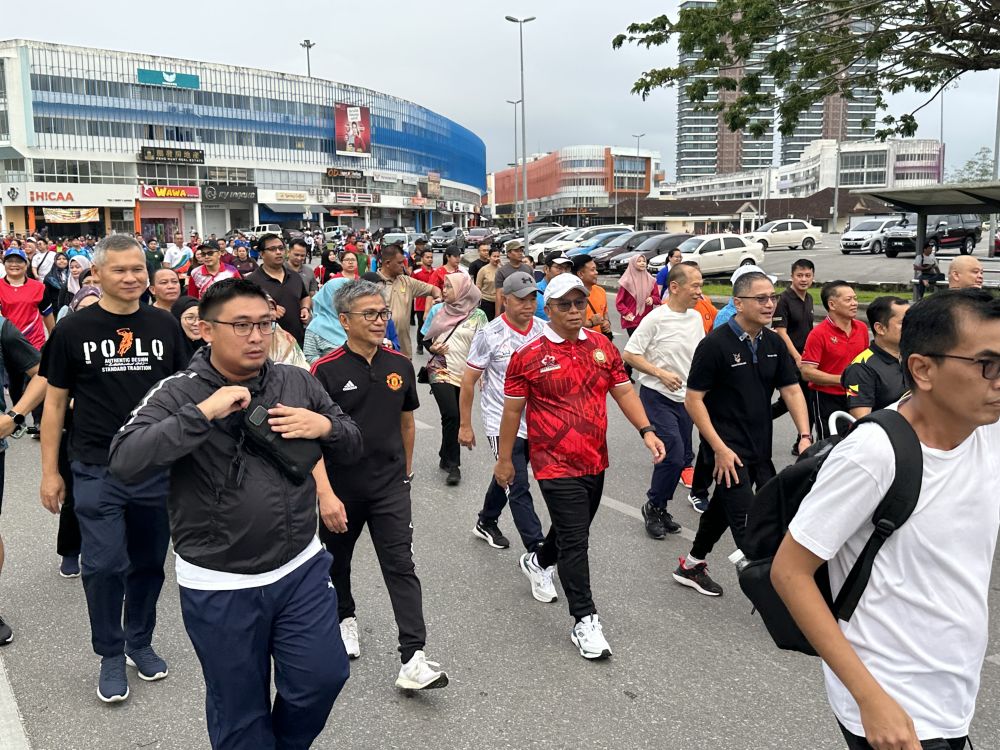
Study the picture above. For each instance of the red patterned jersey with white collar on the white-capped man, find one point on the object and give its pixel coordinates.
(566, 386)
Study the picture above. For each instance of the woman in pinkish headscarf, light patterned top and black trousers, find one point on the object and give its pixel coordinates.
(448, 332)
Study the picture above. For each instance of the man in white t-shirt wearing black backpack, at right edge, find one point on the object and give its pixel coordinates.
(905, 669)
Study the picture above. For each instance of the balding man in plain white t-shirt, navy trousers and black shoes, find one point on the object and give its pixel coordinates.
(661, 350)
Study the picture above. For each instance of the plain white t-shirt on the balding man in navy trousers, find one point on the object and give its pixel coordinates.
(667, 339)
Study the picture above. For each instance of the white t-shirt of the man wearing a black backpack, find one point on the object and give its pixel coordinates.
(921, 625)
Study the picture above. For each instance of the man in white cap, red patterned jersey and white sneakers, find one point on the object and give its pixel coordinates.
(563, 377)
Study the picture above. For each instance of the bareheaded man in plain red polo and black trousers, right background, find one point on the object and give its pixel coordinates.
(830, 347)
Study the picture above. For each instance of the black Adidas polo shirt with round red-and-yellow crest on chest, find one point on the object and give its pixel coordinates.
(374, 396)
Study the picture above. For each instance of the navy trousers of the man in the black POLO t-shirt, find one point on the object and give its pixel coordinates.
(124, 532)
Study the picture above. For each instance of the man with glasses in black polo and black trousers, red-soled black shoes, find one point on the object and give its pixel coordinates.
(734, 373)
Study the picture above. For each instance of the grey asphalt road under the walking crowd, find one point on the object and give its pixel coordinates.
(687, 672)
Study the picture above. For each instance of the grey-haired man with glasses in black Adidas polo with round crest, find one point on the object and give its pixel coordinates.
(377, 387)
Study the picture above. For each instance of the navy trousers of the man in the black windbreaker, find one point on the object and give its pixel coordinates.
(237, 633)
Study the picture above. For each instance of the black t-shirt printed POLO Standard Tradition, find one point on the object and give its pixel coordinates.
(108, 363)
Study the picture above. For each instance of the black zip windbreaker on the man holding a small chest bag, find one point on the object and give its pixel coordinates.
(263, 522)
